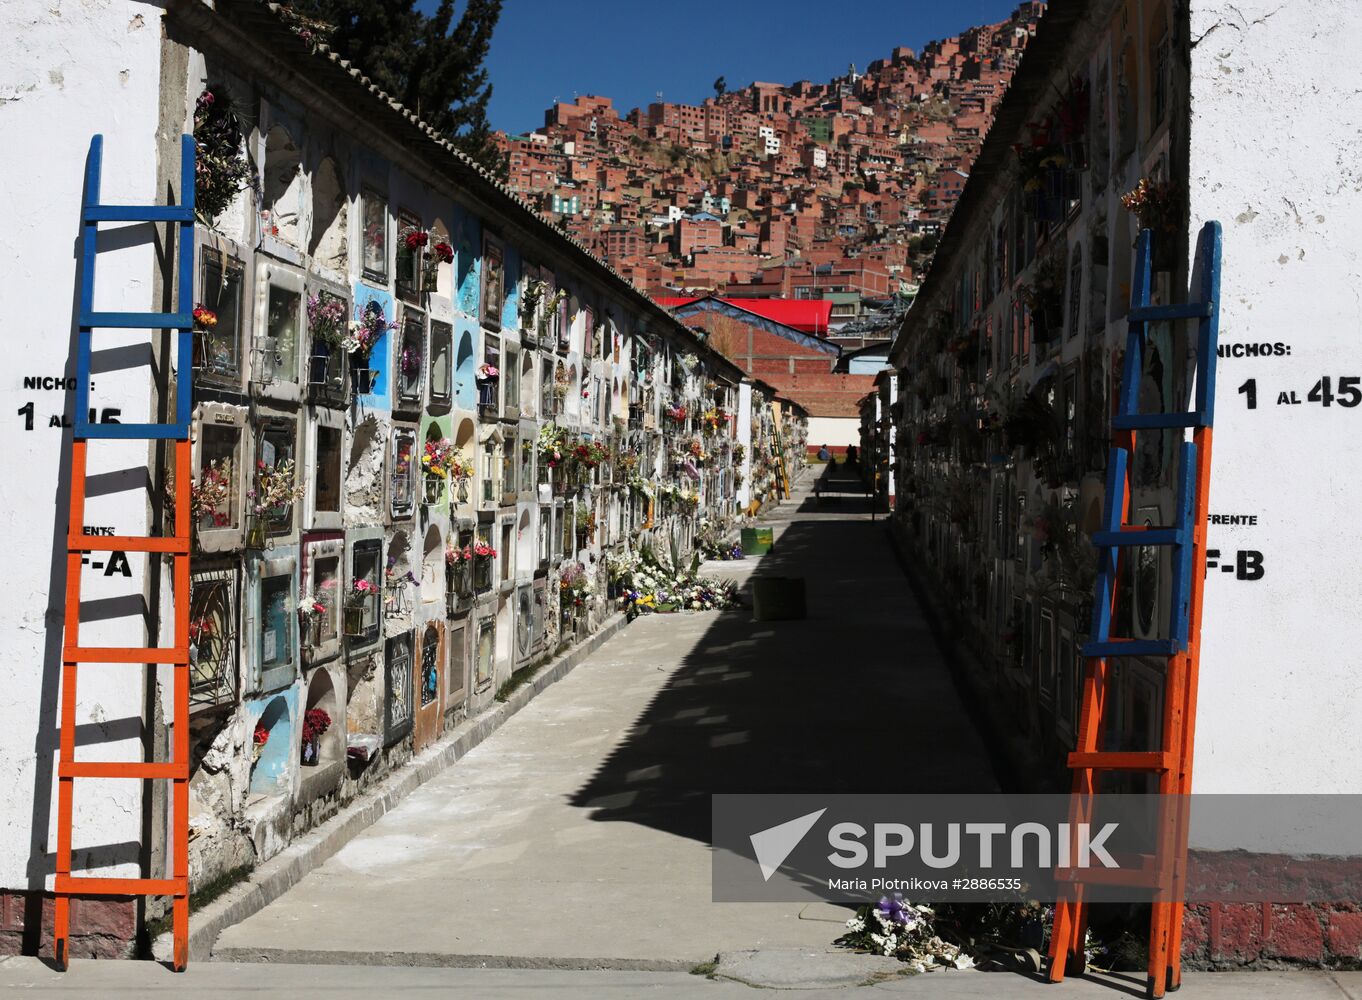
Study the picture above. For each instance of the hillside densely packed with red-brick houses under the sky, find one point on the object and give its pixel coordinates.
(778, 191)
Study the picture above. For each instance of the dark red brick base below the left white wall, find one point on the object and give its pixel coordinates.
(100, 927)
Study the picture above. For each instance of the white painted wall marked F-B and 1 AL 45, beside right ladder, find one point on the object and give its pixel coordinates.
(1277, 157)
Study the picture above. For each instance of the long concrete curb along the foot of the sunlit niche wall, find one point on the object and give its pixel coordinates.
(285, 870)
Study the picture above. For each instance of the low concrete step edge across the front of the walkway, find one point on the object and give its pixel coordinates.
(434, 960)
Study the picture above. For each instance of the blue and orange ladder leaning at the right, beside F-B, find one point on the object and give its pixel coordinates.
(1165, 871)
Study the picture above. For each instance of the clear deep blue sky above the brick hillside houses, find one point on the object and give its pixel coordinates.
(630, 50)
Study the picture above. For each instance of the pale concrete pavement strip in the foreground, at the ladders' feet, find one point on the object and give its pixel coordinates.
(231, 982)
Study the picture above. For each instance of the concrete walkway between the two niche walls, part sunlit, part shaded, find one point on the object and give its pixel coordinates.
(578, 834)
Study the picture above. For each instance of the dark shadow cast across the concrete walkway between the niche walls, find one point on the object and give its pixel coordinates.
(855, 700)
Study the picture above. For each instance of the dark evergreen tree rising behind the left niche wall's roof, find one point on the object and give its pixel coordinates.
(431, 65)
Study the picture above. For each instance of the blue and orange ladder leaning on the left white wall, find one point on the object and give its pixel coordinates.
(66, 885)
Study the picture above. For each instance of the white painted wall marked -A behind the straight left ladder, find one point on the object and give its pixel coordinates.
(73, 69)
